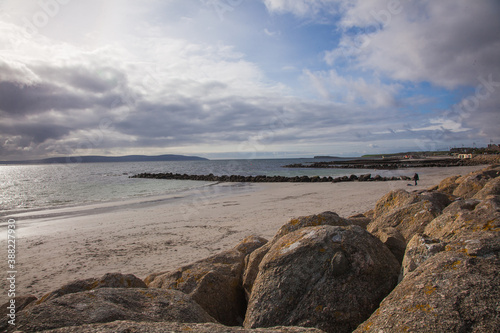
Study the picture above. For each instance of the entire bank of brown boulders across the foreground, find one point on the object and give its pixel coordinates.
(417, 262)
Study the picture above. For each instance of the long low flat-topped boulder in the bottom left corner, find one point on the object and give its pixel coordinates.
(107, 305)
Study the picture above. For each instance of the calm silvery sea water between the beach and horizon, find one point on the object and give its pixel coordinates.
(26, 187)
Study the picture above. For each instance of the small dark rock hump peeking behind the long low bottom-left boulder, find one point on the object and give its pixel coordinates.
(109, 280)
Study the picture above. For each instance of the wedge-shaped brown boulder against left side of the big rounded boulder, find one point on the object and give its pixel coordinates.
(215, 283)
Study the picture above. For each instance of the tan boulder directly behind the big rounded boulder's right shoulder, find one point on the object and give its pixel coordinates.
(409, 213)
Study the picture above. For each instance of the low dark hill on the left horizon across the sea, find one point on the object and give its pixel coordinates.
(103, 159)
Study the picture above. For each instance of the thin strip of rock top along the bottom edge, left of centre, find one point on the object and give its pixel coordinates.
(134, 327)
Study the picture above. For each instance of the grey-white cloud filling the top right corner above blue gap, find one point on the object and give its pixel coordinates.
(448, 43)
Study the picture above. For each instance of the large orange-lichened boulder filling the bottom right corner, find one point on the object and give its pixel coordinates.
(451, 291)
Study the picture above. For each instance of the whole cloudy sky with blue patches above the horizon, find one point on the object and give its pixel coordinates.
(247, 78)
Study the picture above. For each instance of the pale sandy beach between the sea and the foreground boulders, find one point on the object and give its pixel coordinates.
(157, 234)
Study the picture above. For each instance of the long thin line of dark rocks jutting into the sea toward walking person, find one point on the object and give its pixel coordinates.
(267, 179)
